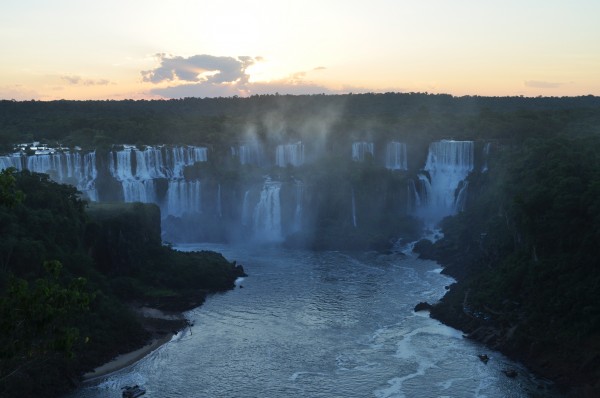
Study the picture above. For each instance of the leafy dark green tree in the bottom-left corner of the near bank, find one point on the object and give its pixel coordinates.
(35, 320)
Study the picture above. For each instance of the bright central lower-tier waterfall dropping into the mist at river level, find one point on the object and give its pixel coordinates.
(267, 213)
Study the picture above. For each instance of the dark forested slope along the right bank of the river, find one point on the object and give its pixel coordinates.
(526, 255)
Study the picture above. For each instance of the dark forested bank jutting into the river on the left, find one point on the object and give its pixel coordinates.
(68, 275)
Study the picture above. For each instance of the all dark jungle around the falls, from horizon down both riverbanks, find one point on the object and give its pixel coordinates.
(524, 249)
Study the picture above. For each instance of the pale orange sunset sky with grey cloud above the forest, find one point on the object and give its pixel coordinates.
(148, 49)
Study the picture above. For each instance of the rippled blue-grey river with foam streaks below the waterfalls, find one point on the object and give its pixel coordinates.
(321, 324)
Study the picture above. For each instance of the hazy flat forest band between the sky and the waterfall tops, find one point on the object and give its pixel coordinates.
(222, 121)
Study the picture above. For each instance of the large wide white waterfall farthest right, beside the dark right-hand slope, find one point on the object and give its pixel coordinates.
(448, 165)
